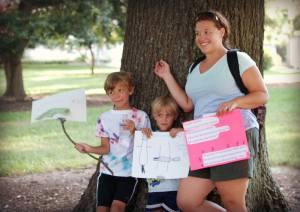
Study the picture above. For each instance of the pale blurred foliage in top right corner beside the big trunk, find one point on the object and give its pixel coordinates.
(282, 22)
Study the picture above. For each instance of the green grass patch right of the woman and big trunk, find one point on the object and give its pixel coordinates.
(282, 126)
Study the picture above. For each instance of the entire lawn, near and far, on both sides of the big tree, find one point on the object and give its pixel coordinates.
(29, 148)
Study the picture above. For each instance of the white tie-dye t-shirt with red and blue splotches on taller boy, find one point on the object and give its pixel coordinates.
(109, 125)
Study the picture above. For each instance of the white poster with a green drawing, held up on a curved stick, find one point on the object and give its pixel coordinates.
(69, 105)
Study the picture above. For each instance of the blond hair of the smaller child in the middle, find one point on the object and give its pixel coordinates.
(164, 102)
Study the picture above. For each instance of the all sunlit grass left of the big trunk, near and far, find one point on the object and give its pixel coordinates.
(40, 147)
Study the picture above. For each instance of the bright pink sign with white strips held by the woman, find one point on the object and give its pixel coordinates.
(215, 140)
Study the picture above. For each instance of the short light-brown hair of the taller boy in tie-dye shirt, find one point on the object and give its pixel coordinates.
(116, 77)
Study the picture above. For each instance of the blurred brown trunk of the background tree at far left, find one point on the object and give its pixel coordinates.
(14, 77)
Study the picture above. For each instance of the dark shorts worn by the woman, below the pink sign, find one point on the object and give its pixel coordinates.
(235, 170)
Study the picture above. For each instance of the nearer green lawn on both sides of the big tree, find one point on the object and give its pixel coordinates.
(41, 147)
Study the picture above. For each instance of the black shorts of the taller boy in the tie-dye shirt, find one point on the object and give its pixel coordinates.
(111, 188)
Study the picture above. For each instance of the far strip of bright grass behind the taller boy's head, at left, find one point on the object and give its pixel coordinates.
(52, 78)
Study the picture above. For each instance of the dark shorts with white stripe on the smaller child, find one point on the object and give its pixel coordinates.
(165, 200)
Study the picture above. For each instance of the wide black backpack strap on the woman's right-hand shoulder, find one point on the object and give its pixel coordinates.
(233, 63)
